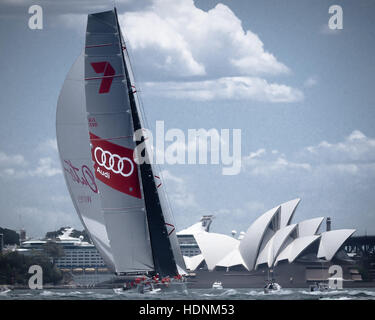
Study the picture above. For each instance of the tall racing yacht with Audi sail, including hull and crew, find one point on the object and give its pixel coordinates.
(120, 202)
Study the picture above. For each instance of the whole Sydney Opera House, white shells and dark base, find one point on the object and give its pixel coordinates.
(296, 253)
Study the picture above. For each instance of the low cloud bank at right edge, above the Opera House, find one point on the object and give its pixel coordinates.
(354, 155)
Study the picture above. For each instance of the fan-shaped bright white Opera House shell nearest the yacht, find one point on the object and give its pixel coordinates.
(215, 246)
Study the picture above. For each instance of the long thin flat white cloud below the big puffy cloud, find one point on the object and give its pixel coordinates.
(226, 88)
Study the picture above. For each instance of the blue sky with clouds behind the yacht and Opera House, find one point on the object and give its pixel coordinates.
(302, 95)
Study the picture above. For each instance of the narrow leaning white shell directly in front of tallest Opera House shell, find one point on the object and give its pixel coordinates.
(272, 249)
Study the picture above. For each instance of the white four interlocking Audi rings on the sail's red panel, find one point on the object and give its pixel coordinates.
(102, 161)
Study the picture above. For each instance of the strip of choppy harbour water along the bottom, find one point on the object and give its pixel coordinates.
(191, 294)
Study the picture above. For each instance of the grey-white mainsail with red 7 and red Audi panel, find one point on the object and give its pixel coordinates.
(111, 136)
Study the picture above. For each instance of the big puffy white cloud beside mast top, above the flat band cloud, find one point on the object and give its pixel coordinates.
(186, 40)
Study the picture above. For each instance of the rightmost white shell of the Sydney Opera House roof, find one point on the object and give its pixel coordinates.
(331, 241)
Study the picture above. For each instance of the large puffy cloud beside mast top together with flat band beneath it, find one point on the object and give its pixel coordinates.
(174, 40)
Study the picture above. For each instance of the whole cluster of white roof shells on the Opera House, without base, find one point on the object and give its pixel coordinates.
(268, 240)
